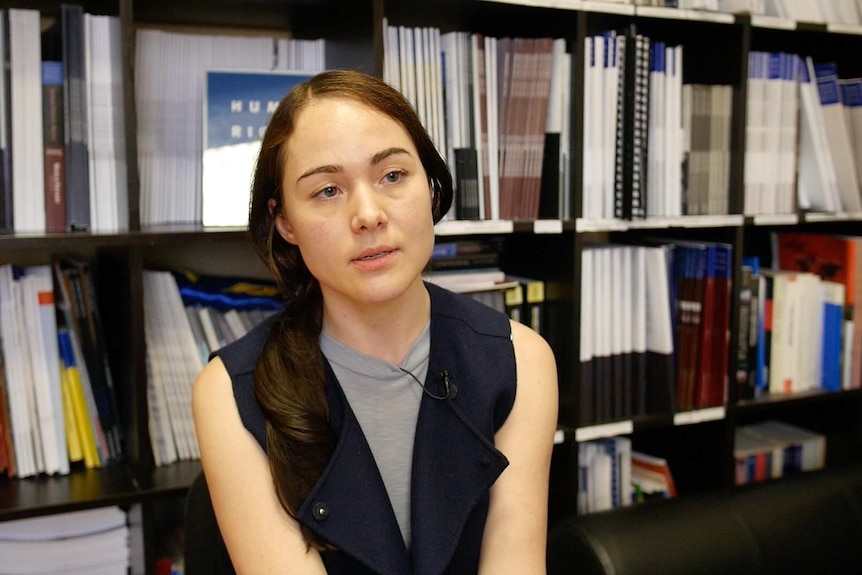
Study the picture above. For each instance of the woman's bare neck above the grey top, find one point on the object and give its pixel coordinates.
(387, 330)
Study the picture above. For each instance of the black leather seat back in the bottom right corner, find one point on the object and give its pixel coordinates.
(807, 524)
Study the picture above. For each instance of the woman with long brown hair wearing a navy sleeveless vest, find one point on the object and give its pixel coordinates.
(380, 424)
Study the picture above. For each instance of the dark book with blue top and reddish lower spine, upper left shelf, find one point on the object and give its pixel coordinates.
(53, 137)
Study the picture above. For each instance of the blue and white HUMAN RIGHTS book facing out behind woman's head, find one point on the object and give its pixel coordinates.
(237, 108)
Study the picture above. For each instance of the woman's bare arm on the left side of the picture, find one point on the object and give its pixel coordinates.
(259, 534)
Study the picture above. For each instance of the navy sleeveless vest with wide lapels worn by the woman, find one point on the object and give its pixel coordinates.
(454, 460)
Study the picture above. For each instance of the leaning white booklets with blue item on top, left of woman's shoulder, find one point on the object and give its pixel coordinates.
(186, 318)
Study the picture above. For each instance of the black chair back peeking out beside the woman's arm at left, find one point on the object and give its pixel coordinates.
(205, 553)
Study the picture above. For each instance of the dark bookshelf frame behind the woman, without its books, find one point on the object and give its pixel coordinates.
(698, 444)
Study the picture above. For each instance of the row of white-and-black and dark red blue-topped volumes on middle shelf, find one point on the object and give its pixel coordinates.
(654, 328)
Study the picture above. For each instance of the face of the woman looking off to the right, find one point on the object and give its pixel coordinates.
(357, 202)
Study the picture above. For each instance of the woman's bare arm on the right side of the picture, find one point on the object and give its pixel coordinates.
(516, 529)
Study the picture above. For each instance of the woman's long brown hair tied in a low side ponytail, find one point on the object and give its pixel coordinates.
(289, 376)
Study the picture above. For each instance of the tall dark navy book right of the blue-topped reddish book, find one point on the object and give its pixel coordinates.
(75, 118)
